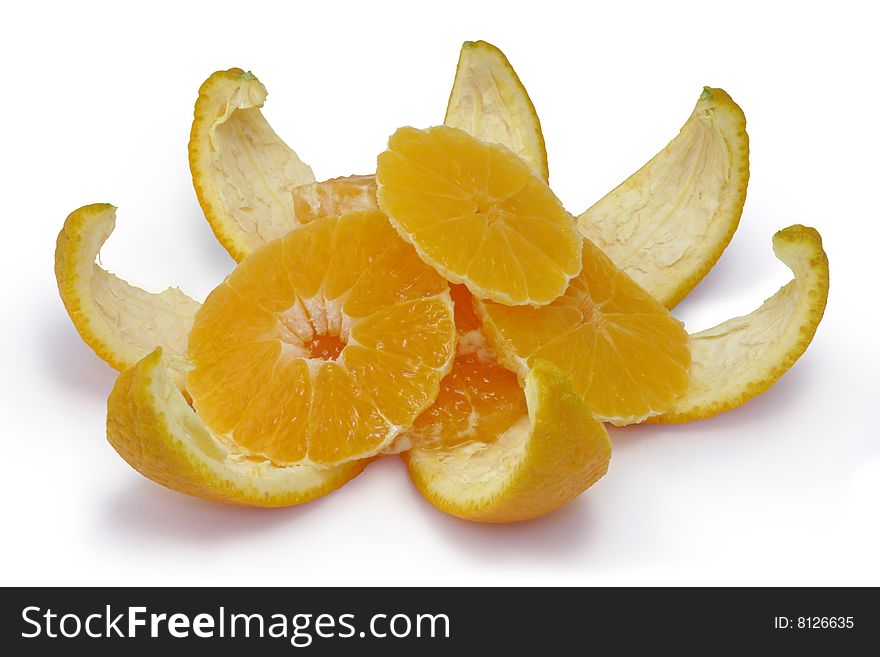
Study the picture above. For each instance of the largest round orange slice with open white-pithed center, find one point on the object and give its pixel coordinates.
(339, 323)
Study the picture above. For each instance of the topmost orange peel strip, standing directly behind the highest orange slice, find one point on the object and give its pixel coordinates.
(489, 101)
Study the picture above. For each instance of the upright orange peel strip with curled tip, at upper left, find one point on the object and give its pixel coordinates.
(242, 171)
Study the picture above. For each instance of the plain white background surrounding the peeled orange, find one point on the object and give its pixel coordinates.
(96, 106)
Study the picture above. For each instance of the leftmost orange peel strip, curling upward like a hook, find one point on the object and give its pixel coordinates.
(120, 322)
